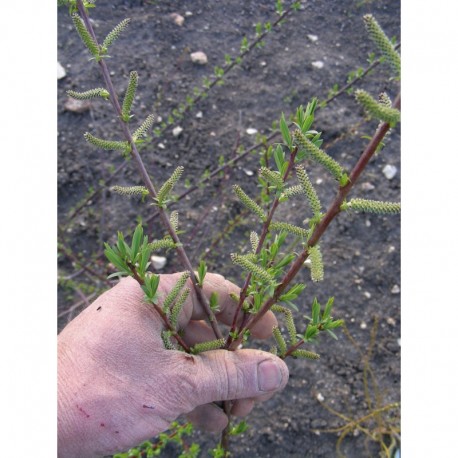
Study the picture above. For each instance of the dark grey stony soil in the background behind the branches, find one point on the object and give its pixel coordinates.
(361, 251)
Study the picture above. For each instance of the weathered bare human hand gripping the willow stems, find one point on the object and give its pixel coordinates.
(119, 386)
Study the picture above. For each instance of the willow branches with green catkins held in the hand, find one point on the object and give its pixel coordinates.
(270, 269)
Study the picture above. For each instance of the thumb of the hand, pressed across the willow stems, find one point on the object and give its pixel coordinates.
(222, 375)
